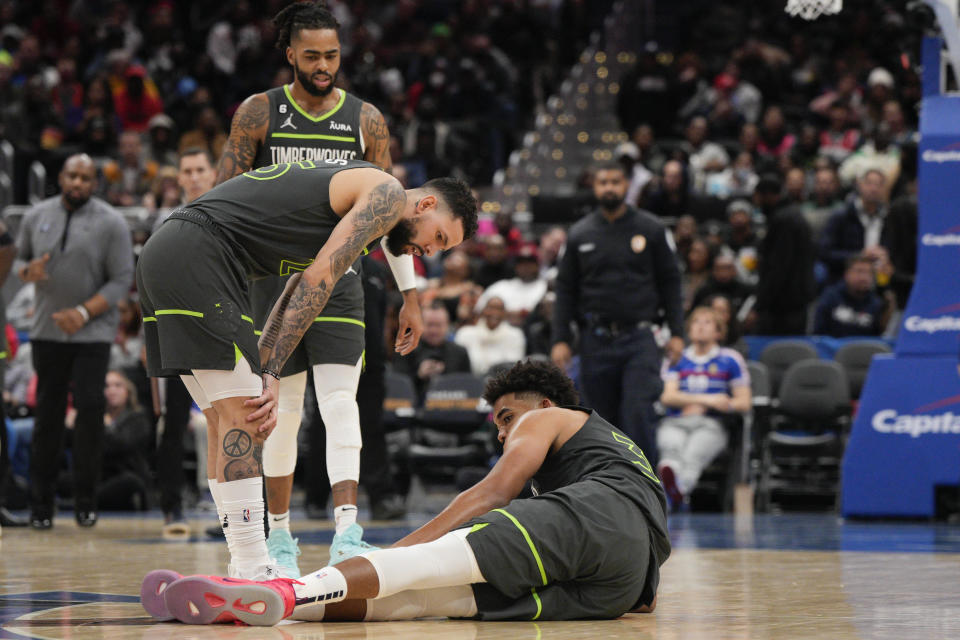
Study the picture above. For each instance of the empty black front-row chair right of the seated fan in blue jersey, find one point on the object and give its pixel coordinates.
(800, 453)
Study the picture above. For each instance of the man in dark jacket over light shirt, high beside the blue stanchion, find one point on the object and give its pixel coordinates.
(859, 227)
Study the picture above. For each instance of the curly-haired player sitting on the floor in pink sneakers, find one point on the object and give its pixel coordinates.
(588, 545)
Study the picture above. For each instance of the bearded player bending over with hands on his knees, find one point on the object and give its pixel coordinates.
(192, 277)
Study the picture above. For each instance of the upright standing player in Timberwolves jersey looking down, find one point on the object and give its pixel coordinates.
(312, 120)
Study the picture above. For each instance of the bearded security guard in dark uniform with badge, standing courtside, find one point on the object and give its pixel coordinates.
(616, 277)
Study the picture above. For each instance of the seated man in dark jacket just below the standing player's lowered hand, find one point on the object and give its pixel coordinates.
(436, 353)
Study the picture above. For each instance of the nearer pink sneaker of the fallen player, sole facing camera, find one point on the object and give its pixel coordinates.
(212, 599)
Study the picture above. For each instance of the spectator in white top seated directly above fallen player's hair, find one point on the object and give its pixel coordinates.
(491, 340)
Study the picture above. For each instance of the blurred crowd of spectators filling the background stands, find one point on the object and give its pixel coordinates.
(785, 169)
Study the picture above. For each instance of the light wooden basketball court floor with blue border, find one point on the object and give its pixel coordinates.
(760, 577)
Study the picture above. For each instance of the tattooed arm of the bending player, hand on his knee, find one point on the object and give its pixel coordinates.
(371, 217)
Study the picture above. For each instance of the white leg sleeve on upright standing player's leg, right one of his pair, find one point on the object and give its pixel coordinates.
(336, 386)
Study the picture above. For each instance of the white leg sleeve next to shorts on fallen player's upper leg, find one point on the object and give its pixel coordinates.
(445, 562)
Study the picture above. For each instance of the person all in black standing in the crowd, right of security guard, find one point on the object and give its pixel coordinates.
(785, 285)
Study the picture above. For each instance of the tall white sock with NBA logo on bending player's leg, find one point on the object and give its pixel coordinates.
(243, 509)
